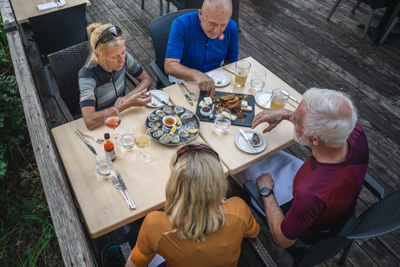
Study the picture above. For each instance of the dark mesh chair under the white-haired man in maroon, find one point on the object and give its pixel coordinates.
(381, 218)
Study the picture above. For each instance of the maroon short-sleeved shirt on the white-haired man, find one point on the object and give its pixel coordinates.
(323, 194)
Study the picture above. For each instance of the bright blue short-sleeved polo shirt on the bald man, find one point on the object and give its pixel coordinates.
(188, 42)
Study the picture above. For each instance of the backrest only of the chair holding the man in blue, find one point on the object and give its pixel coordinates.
(159, 30)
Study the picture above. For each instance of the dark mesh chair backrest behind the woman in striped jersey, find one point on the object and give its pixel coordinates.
(66, 64)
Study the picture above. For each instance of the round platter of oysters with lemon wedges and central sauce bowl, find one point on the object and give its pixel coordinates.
(172, 125)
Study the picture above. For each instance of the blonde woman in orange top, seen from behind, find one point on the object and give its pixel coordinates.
(199, 226)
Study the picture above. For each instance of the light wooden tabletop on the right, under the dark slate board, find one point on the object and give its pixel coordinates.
(224, 143)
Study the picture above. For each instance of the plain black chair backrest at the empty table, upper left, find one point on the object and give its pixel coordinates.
(59, 29)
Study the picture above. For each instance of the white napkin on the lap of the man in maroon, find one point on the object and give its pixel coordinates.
(283, 167)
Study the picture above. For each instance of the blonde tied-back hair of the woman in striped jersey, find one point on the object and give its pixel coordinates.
(94, 30)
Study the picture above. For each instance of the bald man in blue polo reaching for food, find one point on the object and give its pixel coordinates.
(202, 41)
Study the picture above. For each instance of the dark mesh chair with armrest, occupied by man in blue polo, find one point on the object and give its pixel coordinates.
(159, 30)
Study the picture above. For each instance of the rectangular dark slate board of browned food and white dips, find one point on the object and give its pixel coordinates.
(240, 105)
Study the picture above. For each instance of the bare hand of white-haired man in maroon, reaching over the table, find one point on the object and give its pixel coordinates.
(273, 117)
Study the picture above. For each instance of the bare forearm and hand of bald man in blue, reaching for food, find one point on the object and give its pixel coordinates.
(173, 67)
